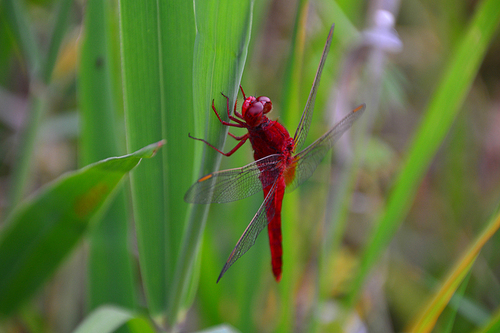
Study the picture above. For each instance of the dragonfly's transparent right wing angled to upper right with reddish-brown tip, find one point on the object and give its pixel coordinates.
(307, 160)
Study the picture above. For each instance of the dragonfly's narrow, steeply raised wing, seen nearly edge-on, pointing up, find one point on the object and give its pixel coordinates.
(305, 120)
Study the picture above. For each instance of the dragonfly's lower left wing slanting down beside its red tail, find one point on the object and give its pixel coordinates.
(259, 222)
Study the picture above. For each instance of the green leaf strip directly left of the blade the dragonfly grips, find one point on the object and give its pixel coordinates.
(177, 47)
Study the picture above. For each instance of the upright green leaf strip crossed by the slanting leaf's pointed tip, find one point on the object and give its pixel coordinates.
(143, 113)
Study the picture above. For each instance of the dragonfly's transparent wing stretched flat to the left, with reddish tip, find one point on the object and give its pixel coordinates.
(234, 184)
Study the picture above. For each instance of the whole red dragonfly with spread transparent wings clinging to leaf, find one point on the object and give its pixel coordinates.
(277, 167)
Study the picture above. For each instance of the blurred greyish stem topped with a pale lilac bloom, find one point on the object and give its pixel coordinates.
(369, 54)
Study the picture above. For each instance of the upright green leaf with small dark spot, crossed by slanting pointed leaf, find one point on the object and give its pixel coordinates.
(110, 270)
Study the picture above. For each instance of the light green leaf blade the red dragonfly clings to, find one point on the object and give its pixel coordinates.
(223, 33)
